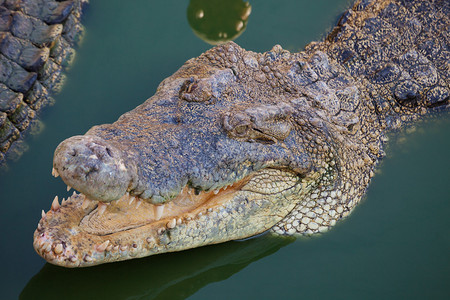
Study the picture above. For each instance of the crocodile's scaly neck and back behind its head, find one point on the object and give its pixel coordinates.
(384, 65)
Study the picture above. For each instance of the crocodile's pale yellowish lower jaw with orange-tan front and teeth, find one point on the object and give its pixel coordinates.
(65, 236)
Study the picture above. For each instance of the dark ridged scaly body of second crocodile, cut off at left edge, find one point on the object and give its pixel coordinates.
(37, 40)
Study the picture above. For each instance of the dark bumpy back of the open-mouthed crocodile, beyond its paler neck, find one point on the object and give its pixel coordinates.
(398, 53)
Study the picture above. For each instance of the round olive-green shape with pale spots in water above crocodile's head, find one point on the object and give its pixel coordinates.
(218, 21)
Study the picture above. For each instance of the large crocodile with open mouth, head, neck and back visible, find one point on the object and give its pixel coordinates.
(236, 143)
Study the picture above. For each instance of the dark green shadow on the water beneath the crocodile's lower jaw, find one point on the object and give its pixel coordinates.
(167, 276)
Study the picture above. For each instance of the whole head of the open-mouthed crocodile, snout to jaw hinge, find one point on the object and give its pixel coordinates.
(224, 150)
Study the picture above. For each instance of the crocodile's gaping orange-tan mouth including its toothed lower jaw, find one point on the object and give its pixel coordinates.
(83, 232)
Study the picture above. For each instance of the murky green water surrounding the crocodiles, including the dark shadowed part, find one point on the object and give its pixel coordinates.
(396, 245)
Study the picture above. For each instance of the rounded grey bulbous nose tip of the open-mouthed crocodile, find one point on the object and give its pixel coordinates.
(94, 167)
